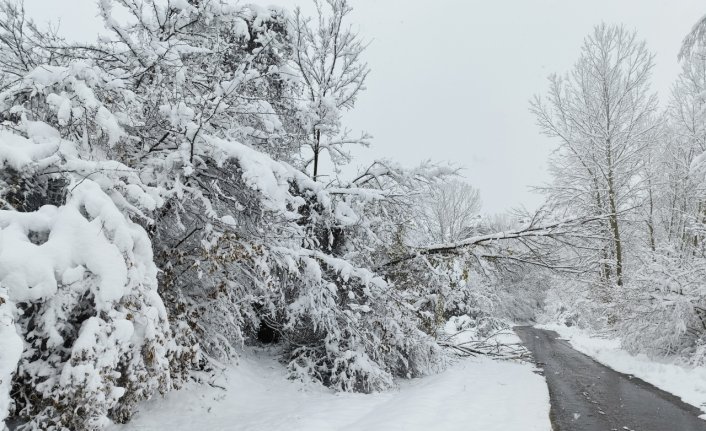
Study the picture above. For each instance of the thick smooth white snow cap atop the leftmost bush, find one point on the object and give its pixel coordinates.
(28, 270)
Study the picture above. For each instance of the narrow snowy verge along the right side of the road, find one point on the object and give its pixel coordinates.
(688, 383)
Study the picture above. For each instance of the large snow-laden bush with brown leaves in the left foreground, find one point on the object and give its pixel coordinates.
(81, 288)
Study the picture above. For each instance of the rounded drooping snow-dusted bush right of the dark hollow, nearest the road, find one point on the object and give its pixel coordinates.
(357, 330)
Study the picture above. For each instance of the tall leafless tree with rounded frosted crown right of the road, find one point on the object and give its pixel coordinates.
(601, 114)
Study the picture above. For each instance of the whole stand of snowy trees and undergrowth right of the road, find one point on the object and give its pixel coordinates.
(657, 182)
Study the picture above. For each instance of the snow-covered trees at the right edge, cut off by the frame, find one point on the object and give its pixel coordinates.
(664, 313)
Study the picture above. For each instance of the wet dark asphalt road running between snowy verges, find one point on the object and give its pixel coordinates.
(587, 396)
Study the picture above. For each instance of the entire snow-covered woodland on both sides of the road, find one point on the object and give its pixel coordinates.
(172, 194)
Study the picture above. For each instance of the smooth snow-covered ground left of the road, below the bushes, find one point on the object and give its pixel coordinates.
(473, 394)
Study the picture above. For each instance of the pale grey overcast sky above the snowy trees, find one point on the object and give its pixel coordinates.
(451, 79)
